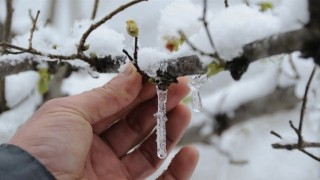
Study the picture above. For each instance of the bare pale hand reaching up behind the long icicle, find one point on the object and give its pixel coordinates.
(89, 136)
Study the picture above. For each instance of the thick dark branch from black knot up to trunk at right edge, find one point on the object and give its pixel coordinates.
(283, 43)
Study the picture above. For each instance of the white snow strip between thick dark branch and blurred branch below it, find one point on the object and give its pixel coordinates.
(246, 90)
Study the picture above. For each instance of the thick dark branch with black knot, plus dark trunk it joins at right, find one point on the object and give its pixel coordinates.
(305, 40)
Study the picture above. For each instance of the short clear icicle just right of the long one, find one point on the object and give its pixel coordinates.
(195, 85)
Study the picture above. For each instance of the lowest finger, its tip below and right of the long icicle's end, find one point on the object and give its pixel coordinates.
(182, 165)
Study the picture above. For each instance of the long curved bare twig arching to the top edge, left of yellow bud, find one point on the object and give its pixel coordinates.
(100, 22)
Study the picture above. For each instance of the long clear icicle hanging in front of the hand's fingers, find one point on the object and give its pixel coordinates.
(161, 123)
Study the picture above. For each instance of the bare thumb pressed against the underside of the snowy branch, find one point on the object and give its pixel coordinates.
(109, 99)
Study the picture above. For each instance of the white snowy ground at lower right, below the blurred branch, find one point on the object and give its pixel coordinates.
(251, 141)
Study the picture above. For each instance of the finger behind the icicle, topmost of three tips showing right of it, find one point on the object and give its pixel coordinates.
(141, 121)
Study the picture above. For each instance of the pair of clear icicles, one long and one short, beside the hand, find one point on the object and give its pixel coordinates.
(195, 84)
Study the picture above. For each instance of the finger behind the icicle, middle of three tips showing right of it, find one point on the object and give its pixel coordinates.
(143, 161)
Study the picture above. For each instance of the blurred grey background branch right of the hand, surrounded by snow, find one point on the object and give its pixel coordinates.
(280, 99)
